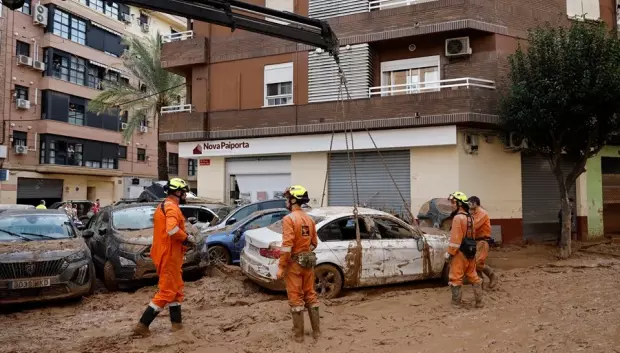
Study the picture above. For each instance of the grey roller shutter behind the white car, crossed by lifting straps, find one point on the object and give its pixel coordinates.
(376, 189)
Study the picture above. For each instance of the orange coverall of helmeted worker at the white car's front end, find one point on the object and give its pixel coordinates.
(460, 266)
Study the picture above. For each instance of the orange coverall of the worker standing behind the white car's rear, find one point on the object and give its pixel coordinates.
(299, 235)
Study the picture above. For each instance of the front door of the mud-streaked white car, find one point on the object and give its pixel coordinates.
(403, 261)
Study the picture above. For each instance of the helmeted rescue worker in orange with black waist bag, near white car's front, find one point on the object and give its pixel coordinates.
(462, 251)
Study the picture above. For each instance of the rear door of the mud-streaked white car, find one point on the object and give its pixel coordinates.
(340, 238)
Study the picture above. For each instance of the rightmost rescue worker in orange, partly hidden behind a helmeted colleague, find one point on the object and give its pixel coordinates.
(482, 230)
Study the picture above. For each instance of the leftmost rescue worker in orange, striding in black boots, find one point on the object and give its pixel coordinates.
(170, 242)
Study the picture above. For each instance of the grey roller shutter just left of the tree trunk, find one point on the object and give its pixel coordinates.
(541, 198)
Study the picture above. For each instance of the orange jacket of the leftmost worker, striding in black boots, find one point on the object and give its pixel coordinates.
(168, 235)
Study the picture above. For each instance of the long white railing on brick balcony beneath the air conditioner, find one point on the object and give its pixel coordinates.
(430, 86)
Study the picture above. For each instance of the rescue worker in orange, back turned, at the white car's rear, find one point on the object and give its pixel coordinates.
(297, 261)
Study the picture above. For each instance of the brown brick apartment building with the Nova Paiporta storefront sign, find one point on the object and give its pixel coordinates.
(422, 77)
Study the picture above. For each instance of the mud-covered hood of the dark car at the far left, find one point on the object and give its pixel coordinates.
(33, 250)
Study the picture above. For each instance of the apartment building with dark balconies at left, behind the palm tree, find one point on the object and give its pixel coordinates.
(54, 57)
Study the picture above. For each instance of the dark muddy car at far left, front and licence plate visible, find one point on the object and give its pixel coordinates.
(42, 257)
